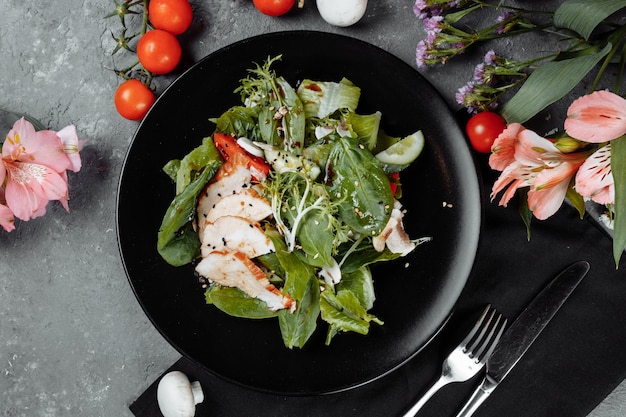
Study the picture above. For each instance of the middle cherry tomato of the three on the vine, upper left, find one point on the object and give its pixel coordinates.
(159, 51)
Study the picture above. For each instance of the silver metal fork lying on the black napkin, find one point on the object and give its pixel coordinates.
(466, 360)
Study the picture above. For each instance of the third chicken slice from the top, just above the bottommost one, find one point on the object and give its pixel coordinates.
(237, 234)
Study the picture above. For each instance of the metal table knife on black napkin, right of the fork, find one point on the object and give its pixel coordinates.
(524, 331)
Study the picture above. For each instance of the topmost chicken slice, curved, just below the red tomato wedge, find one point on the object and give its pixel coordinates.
(229, 179)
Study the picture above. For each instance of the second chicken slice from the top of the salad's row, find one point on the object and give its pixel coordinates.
(247, 204)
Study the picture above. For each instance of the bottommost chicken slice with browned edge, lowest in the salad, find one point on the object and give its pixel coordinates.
(234, 269)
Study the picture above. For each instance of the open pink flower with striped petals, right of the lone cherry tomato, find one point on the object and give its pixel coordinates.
(529, 160)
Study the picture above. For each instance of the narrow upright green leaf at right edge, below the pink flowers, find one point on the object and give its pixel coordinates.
(618, 166)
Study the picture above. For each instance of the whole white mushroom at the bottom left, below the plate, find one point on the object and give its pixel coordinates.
(177, 397)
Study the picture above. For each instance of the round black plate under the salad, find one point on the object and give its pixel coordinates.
(415, 295)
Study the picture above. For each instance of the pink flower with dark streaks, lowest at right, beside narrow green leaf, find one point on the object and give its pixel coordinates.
(595, 178)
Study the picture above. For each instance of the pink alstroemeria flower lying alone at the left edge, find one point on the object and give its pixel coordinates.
(36, 165)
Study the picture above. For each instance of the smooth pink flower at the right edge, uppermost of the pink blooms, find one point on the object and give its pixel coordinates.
(597, 117)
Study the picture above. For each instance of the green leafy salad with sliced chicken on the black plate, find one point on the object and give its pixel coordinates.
(285, 207)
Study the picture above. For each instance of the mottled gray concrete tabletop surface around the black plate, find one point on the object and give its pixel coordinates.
(73, 339)
